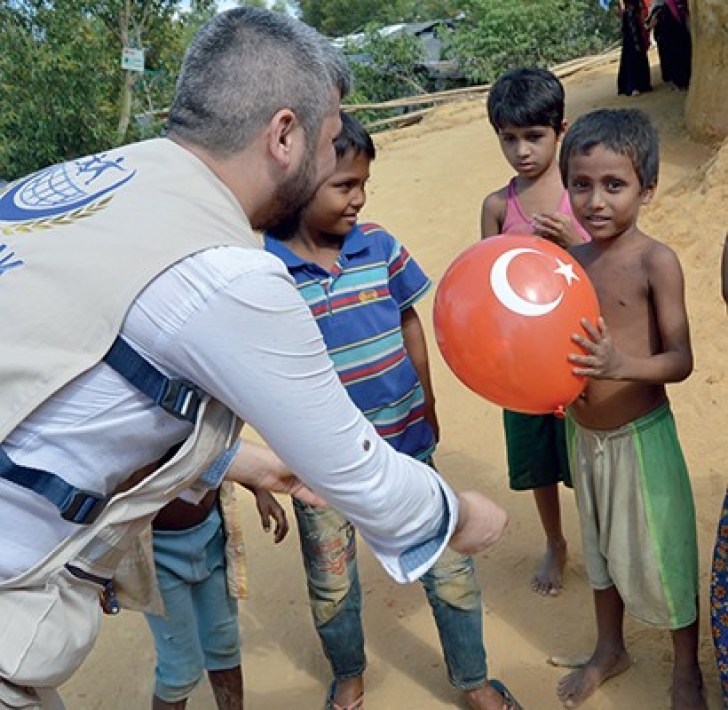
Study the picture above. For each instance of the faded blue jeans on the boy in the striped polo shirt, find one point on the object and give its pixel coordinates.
(328, 544)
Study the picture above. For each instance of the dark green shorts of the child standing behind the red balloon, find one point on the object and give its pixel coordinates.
(536, 450)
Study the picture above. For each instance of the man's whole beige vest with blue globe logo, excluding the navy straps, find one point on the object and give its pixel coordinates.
(78, 243)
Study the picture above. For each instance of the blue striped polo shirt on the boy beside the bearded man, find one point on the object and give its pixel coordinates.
(358, 307)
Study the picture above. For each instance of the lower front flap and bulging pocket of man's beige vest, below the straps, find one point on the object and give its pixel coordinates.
(49, 619)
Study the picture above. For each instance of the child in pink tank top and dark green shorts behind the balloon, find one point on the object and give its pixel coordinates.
(526, 109)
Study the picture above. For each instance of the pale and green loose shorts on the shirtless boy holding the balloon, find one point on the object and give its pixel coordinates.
(637, 516)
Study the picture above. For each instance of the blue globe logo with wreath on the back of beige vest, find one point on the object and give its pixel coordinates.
(62, 193)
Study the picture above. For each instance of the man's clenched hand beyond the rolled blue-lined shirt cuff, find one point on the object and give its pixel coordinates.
(481, 523)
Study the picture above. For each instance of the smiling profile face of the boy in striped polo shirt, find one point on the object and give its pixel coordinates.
(336, 205)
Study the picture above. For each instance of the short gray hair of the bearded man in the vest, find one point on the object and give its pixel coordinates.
(242, 67)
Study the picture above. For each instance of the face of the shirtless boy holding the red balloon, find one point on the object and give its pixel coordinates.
(605, 192)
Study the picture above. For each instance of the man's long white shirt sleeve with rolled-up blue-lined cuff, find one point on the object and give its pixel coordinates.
(255, 346)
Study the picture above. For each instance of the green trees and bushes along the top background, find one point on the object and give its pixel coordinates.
(64, 93)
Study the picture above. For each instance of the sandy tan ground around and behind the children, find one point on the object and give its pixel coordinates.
(427, 186)
